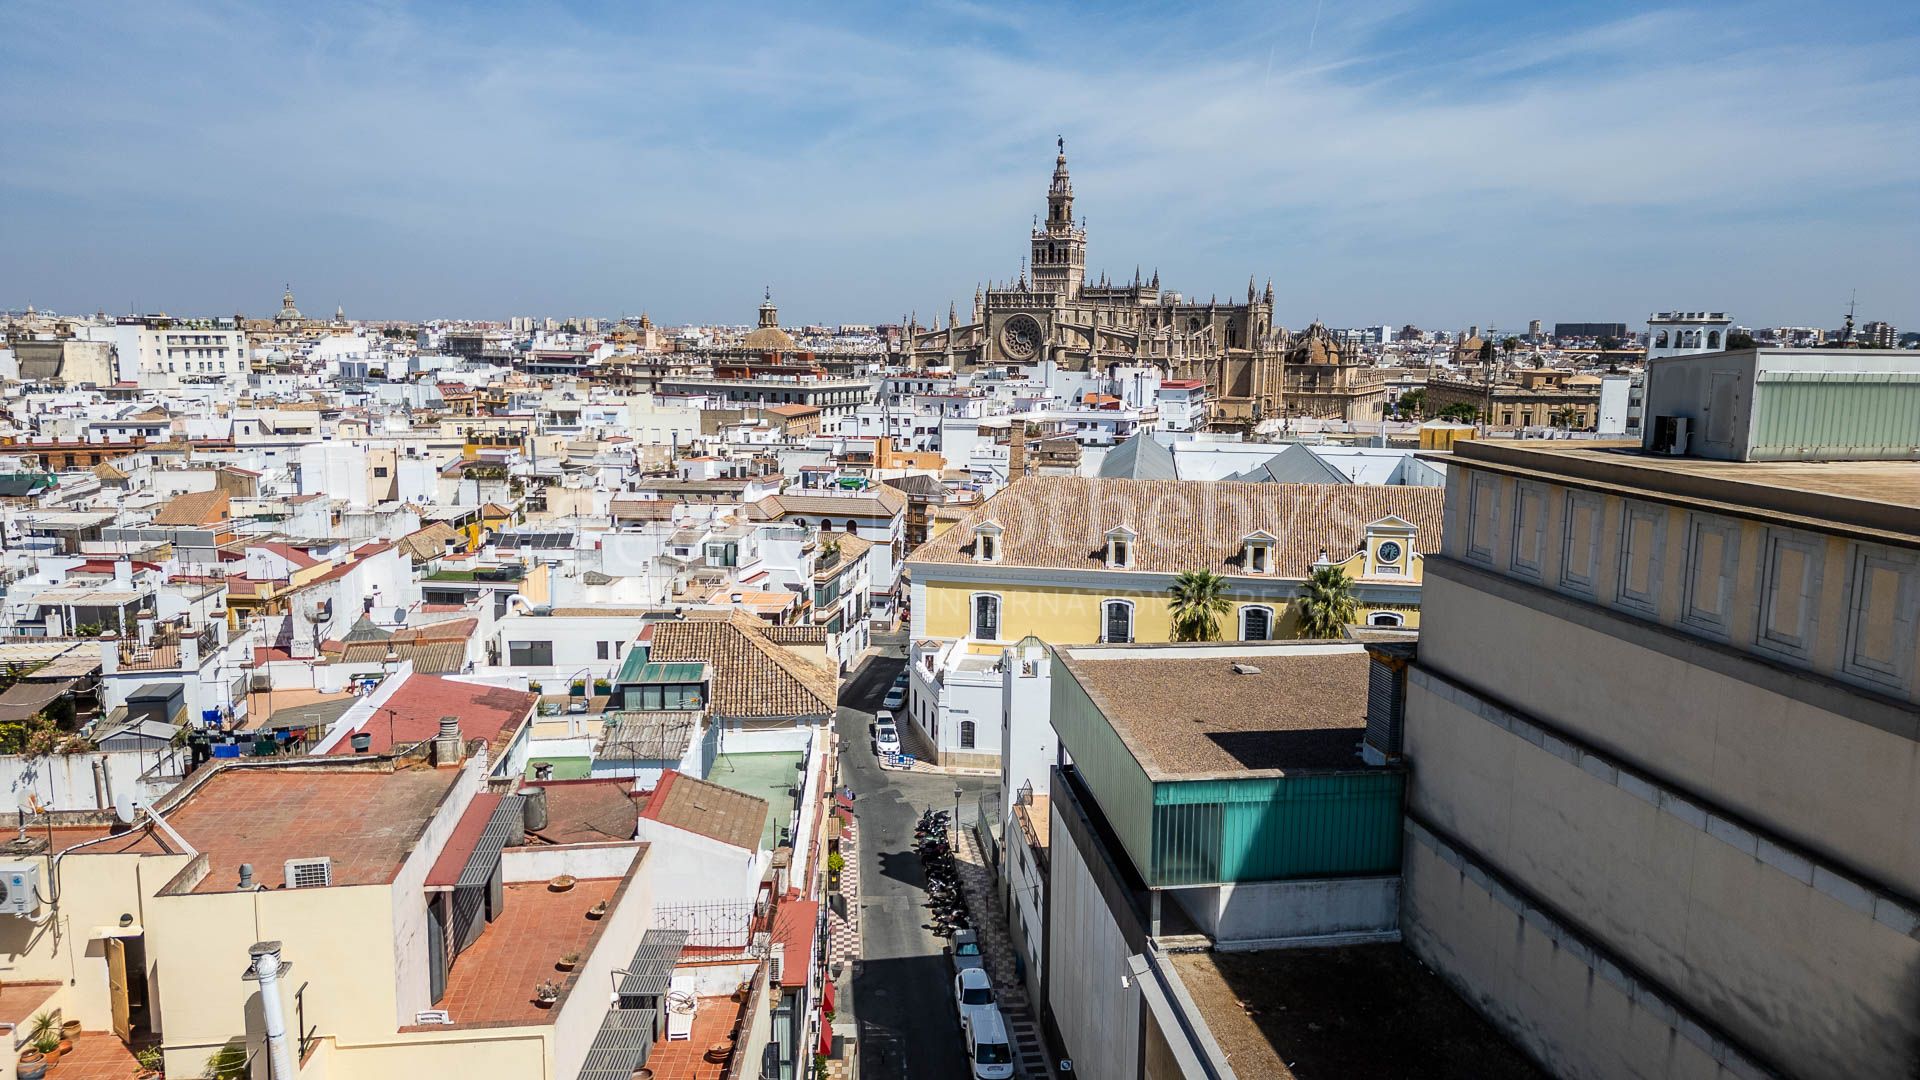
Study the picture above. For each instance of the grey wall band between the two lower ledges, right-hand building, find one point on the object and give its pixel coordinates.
(1785, 966)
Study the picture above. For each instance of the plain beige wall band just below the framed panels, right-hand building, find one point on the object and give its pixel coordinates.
(1819, 777)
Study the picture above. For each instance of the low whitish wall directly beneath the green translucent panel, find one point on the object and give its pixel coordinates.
(1266, 914)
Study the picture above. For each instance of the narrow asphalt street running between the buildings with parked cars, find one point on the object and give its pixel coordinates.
(901, 987)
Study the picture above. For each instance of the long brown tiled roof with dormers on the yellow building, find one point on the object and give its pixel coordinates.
(1182, 526)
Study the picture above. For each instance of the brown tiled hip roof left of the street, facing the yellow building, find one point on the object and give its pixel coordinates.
(754, 677)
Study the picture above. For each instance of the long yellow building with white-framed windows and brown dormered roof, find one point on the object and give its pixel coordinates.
(1093, 560)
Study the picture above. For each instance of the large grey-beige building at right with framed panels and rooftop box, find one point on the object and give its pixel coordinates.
(1662, 731)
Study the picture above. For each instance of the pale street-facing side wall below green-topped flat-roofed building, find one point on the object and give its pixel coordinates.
(1099, 1023)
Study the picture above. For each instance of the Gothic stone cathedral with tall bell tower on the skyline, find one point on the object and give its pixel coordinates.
(1053, 312)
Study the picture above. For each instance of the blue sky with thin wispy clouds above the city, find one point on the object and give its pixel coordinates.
(1383, 162)
